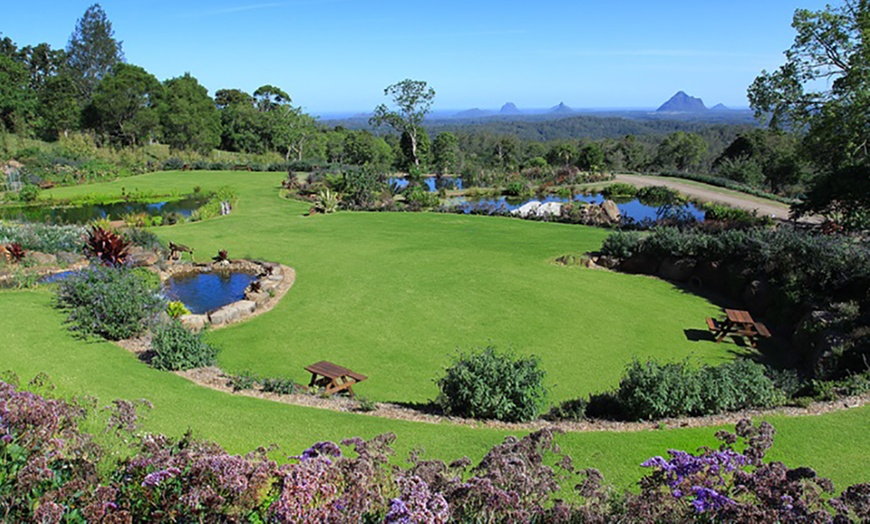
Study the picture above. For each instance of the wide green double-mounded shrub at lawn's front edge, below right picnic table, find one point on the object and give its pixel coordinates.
(652, 390)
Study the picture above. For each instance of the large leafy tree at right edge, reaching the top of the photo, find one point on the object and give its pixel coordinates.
(823, 92)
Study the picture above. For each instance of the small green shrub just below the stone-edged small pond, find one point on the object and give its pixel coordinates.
(177, 348)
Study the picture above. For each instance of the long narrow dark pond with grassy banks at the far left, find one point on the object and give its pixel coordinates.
(88, 213)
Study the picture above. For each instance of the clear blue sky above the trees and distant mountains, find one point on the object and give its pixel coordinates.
(338, 55)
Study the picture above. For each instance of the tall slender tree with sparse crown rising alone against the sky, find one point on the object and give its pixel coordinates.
(413, 100)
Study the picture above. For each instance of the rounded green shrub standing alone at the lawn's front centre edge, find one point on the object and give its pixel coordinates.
(486, 384)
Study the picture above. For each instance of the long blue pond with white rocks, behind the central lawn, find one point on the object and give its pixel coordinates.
(632, 208)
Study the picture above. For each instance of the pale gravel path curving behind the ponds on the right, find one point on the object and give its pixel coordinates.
(721, 195)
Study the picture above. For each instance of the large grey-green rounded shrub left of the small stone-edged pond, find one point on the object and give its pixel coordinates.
(110, 302)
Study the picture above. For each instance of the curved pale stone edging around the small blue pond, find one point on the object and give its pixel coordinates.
(275, 280)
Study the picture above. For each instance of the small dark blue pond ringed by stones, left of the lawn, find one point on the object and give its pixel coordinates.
(205, 292)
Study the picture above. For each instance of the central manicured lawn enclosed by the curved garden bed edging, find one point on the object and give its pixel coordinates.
(394, 295)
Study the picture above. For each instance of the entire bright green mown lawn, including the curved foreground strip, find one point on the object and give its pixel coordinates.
(392, 295)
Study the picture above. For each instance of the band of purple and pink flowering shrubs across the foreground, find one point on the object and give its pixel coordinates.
(51, 471)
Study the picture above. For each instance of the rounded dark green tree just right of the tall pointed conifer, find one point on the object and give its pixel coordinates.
(123, 108)
